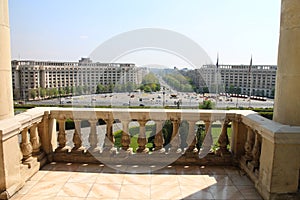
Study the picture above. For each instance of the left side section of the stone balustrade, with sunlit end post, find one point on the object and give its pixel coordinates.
(21, 141)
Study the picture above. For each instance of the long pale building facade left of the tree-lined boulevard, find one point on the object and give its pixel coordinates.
(28, 75)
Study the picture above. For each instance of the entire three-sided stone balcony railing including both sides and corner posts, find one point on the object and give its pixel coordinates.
(268, 152)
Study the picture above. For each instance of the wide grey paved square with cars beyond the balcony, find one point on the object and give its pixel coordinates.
(157, 99)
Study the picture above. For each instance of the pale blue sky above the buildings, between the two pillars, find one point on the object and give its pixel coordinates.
(66, 30)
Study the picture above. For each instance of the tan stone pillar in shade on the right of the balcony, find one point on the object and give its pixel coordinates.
(287, 96)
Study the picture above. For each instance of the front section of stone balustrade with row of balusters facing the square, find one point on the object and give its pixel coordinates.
(181, 149)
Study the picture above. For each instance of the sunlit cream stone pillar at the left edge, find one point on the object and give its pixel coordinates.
(6, 96)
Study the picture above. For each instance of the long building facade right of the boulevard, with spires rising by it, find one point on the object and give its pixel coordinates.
(257, 80)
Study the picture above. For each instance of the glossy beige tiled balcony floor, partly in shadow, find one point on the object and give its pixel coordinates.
(67, 181)
